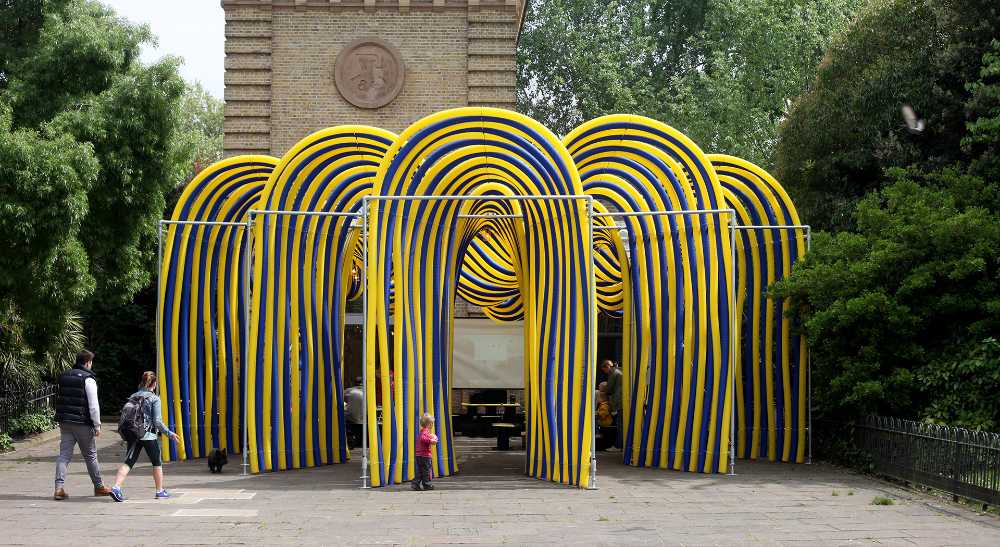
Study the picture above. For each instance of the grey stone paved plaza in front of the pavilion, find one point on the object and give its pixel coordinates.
(491, 502)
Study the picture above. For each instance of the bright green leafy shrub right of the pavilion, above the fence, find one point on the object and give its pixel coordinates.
(911, 287)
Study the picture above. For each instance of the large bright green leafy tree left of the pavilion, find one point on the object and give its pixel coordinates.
(87, 156)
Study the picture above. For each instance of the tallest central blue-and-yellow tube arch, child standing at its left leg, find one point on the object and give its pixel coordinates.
(437, 175)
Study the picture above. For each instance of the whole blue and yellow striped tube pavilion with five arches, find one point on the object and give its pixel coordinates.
(624, 216)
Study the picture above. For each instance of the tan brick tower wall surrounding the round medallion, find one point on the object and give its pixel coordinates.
(280, 58)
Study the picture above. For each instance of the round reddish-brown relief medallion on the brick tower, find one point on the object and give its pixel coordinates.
(369, 73)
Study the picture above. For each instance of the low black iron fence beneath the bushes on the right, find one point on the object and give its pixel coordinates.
(959, 461)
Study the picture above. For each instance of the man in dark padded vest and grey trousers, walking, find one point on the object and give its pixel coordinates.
(79, 417)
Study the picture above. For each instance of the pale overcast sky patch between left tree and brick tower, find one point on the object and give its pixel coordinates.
(190, 29)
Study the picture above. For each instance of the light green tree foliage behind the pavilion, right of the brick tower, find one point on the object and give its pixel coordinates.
(721, 71)
